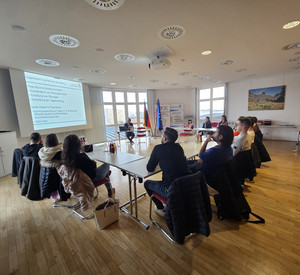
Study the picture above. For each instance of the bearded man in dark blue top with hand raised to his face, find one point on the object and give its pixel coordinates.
(216, 156)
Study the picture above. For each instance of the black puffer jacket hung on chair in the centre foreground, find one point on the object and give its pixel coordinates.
(188, 207)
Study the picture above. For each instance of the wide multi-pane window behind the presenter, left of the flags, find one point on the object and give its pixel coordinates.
(120, 105)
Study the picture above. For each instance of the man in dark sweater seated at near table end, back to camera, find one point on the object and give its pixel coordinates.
(172, 161)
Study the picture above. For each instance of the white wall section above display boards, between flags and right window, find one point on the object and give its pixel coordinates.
(178, 96)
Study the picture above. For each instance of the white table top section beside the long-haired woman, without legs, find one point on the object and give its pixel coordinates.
(114, 159)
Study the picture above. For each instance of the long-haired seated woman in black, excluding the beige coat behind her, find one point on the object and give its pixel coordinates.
(73, 159)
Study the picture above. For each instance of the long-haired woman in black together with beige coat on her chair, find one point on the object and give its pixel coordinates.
(79, 172)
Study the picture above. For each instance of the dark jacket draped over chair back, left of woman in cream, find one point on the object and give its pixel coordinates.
(29, 178)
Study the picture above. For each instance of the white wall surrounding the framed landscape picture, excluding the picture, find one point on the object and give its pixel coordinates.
(238, 103)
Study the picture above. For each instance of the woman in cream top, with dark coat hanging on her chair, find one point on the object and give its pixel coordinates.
(50, 157)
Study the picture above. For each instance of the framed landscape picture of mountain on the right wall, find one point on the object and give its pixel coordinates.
(264, 99)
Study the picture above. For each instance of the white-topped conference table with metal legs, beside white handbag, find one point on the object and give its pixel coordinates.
(132, 165)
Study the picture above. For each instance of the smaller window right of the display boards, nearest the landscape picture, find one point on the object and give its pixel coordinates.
(211, 104)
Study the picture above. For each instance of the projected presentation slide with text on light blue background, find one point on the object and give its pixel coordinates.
(54, 102)
